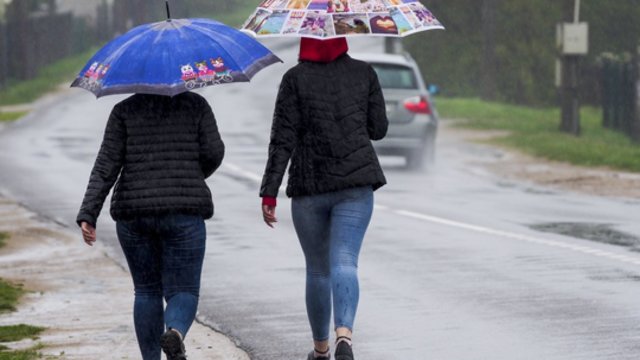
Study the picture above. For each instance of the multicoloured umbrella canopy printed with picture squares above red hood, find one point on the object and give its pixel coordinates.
(324, 19)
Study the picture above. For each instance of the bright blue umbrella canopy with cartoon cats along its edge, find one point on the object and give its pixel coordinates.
(174, 56)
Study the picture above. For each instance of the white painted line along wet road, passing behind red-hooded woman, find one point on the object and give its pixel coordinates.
(476, 228)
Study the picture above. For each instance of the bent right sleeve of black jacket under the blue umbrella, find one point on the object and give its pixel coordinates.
(211, 145)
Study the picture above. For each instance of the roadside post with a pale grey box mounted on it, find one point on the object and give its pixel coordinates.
(573, 44)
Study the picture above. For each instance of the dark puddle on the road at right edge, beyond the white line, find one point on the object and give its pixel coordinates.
(602, 233)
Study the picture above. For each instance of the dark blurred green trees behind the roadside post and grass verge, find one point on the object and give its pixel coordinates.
(517, 36)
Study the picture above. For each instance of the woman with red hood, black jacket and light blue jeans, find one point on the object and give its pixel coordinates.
(328, 110)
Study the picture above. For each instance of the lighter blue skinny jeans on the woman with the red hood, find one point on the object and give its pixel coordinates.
(331, 229)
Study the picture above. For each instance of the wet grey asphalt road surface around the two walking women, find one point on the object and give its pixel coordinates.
(457, 264)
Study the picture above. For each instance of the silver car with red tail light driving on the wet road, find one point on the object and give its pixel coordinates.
(413, 118)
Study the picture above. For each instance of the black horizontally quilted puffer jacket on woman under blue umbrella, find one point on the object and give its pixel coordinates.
(161, 150)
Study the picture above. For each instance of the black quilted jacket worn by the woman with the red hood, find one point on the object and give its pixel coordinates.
(325, 118)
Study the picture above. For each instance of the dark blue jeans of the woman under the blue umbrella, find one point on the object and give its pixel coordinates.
(165, 256)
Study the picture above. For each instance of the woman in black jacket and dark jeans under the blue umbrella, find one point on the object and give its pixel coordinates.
(158, 150)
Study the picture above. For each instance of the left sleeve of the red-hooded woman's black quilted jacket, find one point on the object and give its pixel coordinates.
(286, 120)
